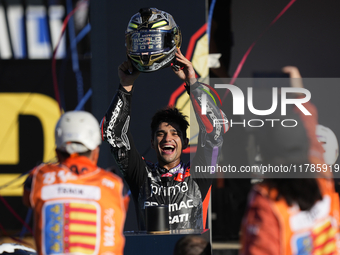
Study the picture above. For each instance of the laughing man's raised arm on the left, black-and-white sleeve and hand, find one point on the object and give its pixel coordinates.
(115, 128)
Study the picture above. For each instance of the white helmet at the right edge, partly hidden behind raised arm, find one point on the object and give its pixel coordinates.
(329, 143)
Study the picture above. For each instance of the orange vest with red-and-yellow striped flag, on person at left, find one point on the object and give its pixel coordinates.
(77, 213)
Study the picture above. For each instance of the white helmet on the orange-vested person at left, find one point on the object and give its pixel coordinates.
(77, 132)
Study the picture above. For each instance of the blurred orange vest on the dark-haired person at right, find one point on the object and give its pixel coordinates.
(272, 227)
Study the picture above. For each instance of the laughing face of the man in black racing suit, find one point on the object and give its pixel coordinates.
(168, 143)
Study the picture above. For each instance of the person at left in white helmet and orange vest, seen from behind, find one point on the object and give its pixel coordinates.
(78, 207)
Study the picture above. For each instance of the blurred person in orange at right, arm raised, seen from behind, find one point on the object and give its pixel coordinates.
(295, 215)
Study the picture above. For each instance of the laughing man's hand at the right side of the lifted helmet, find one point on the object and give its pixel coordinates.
(186, 71)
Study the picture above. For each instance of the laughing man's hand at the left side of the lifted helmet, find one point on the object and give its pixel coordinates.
(127, 75)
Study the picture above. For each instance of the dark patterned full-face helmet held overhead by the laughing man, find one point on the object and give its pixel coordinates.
(151, 39)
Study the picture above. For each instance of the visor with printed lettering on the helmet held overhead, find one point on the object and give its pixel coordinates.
(148, 41)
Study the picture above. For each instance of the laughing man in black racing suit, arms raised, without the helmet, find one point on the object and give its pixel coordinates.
(169, 181)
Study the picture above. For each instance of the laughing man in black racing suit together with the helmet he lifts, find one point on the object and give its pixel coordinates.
(153, 40)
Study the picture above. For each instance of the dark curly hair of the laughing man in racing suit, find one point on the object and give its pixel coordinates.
(169, 115)
